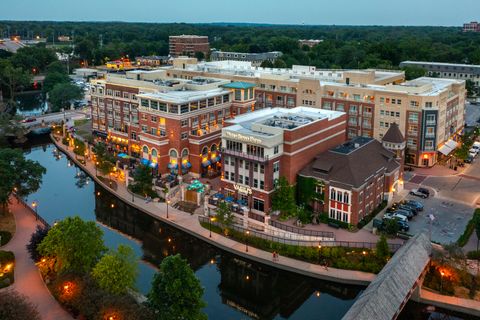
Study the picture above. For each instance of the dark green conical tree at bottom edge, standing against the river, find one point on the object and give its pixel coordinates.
(176, 293)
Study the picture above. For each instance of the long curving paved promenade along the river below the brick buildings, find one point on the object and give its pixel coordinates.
(190, 224)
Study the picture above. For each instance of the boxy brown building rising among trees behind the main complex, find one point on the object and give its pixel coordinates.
(188, 45)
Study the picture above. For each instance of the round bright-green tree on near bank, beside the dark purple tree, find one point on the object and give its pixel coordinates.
(76, 245)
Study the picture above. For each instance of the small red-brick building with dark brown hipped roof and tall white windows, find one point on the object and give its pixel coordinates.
(352, 179)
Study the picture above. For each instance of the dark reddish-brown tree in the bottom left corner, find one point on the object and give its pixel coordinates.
(14, 306)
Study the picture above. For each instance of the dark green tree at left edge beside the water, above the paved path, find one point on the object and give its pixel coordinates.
(18, 173)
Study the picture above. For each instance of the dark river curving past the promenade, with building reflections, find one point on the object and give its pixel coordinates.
(234, 288)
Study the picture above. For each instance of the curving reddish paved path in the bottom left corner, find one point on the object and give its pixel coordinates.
(27, 277)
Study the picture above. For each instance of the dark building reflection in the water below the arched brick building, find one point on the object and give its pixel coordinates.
(158, 239)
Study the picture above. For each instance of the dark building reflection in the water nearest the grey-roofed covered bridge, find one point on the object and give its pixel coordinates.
(262, 292)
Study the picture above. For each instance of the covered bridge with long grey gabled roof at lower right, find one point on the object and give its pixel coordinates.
(401, 277)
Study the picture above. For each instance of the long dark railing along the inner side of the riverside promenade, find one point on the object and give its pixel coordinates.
(347, 244)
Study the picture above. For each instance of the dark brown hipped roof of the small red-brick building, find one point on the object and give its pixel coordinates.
(352, 163)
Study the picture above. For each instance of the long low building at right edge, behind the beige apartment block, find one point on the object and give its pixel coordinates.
(448, 70)
